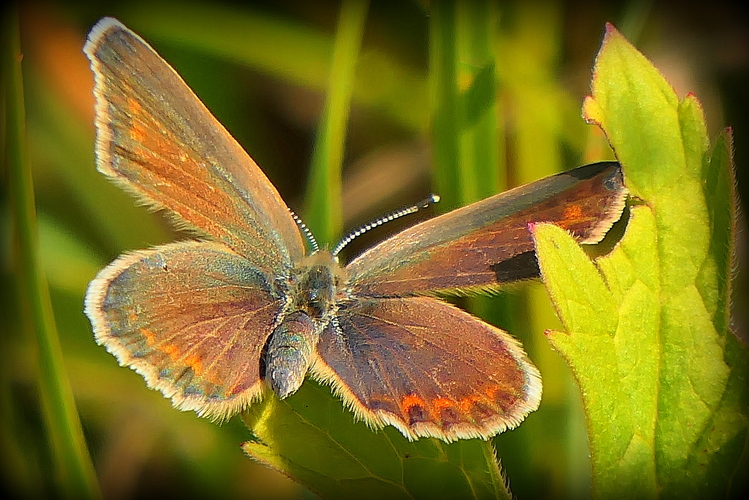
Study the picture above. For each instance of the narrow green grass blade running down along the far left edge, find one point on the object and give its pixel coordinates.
(75, 473)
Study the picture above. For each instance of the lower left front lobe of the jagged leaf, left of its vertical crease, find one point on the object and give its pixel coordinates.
(610, 339)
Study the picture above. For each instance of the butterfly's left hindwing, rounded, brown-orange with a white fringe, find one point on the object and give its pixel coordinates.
(192, 318)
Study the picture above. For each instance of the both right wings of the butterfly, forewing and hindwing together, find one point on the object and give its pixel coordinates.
(429, 368)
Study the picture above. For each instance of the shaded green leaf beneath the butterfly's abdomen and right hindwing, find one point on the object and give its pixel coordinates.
(338, 457)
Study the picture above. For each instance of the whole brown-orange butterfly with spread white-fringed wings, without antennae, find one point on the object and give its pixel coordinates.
(245, 310)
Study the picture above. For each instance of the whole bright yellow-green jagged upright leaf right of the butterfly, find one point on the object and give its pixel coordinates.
(663, 379)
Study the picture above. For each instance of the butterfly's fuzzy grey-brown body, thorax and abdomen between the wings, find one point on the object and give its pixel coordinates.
(311, 305)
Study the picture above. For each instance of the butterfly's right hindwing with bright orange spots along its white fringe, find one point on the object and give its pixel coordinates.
(428, 368)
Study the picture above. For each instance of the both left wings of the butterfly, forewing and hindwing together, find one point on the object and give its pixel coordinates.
(191, 317)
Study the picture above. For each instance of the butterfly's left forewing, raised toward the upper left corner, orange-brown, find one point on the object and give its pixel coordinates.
(157, 139)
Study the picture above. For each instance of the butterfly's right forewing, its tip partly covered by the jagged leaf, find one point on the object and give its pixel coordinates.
(475, 246)
